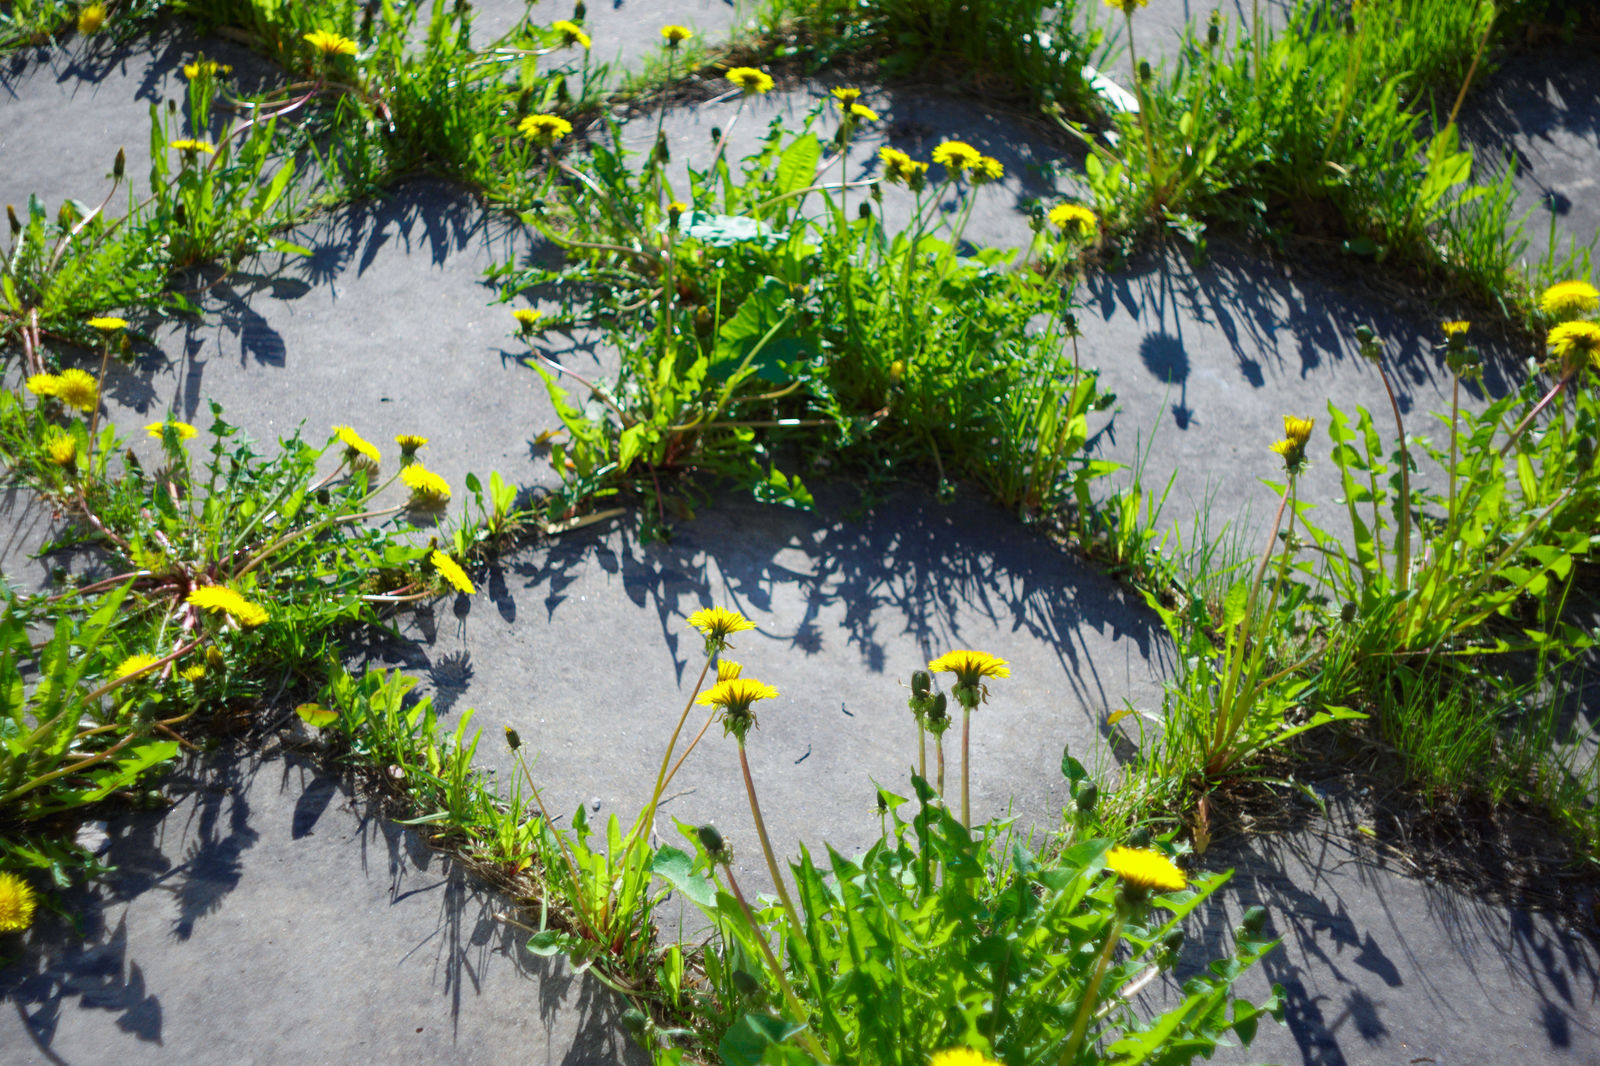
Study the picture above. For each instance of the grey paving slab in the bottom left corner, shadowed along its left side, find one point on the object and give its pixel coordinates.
(270, 918)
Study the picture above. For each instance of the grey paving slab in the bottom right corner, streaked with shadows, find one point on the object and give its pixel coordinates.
(1382, 968)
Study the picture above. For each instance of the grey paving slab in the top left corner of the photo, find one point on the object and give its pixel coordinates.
(66, 111)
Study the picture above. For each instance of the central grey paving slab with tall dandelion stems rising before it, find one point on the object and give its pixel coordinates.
(583, 647)
